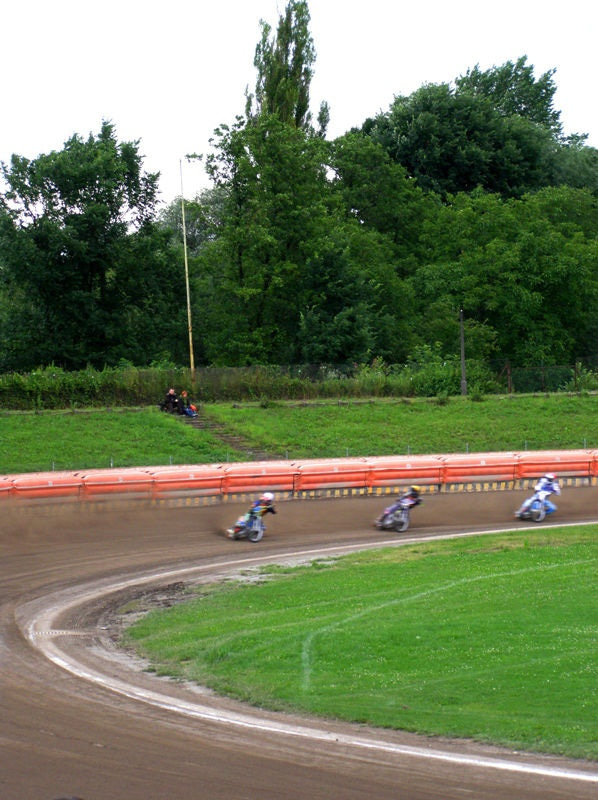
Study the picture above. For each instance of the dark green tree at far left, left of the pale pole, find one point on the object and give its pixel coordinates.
(74, 224)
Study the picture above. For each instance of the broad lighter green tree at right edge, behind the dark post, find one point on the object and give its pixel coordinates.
(523, 270)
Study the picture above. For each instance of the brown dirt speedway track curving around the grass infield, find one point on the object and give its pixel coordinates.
(81, 719)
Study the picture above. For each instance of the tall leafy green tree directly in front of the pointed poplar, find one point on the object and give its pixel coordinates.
(276, 206)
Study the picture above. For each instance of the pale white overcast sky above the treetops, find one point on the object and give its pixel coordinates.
(168, 73)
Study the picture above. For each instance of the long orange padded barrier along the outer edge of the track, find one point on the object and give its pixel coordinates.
(368, 475)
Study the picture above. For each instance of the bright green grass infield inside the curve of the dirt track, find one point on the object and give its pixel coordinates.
(491, 638)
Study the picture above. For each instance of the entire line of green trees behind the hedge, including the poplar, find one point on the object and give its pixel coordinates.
(463, 201)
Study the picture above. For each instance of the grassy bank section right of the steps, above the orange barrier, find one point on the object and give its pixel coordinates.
(396, 427)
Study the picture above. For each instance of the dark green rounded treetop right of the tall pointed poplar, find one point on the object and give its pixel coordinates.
(452, 142)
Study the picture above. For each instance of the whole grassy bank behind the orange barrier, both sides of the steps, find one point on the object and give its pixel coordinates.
(95, 439)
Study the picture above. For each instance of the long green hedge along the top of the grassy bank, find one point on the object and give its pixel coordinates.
(54, 388)
